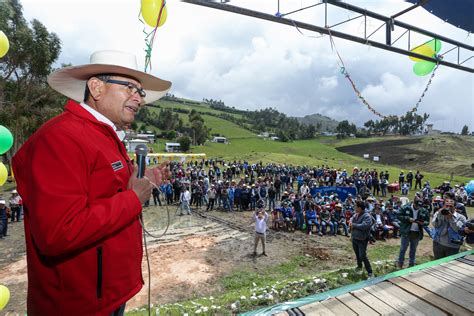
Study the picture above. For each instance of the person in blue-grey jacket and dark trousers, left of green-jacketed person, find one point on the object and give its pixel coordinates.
(360, 225)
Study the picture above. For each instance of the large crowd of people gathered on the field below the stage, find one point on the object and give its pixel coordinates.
(287, 197)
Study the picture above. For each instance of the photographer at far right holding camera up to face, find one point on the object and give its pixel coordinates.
(448, 224)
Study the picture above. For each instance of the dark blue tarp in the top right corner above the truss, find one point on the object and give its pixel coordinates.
(459, 13)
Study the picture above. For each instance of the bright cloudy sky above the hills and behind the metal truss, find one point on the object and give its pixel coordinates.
(254, 64)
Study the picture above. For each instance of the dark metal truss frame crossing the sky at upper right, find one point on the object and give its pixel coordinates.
(388, 22)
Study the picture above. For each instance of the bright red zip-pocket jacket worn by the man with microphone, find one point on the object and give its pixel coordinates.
(83, 236)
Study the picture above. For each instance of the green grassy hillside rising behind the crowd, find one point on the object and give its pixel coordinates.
(245, 145)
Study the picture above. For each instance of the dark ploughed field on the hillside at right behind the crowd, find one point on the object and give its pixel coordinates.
(444, 154)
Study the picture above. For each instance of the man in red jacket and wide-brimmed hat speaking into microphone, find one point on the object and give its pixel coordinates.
(81, 195)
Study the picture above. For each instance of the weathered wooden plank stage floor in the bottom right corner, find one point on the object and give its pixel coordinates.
(443, 289)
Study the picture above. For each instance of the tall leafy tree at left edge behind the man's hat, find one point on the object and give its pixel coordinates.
(26, 101)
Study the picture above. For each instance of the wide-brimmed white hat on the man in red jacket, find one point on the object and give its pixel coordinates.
(71, 81)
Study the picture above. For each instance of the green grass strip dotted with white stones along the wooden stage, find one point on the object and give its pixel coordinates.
(299, 277)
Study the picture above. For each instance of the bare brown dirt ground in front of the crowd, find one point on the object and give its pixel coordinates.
(195, 252)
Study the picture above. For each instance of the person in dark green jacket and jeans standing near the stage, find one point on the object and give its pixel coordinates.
(413, 217)
